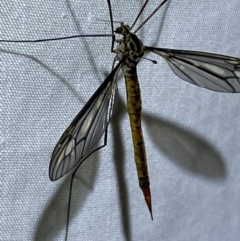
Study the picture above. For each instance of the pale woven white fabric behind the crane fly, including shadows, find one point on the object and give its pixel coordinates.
(192, 135)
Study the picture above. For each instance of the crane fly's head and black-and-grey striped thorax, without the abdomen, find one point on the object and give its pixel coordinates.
(130, 46)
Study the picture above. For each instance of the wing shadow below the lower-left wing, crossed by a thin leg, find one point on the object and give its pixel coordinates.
(53, 218)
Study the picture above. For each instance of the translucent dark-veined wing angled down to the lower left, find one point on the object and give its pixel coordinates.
(81, 137)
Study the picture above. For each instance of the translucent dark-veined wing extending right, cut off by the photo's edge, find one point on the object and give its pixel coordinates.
(212, 71)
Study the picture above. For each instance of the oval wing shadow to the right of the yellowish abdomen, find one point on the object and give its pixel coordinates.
(185, 148)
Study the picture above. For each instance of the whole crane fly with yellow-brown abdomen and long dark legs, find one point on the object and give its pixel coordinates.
(211, 71)
